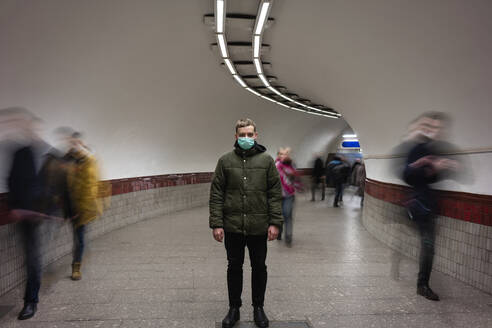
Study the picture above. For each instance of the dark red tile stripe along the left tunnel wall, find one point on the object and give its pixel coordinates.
(127, 185)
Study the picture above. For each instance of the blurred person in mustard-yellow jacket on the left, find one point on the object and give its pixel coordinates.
(83, 203)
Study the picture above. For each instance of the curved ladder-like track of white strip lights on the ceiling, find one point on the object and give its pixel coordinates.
(244, 59)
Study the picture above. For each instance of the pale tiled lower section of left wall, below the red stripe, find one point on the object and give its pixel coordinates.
(56, 240)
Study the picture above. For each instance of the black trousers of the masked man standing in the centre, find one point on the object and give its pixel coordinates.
(257, 246)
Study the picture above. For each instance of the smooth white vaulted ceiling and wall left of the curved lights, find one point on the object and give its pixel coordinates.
(139, 78)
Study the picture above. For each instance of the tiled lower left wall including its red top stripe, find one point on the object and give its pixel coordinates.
(133, 200)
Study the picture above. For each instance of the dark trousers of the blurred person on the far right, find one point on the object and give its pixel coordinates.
(426, 227)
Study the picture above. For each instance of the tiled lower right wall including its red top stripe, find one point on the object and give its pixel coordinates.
(463, 245)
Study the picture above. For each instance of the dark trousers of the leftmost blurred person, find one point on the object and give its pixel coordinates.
(31, 239)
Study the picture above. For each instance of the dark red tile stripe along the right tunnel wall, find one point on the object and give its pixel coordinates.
(457, 205)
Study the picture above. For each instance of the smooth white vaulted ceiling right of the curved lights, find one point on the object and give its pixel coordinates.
(382, 62)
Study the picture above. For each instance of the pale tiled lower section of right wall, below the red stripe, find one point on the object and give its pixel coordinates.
(463, 250)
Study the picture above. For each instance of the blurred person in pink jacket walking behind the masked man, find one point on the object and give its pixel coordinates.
(290, 182)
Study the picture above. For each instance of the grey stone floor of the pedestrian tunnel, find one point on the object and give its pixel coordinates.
(169, 272)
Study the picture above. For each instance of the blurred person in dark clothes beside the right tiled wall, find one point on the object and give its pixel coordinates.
(426, 163)
